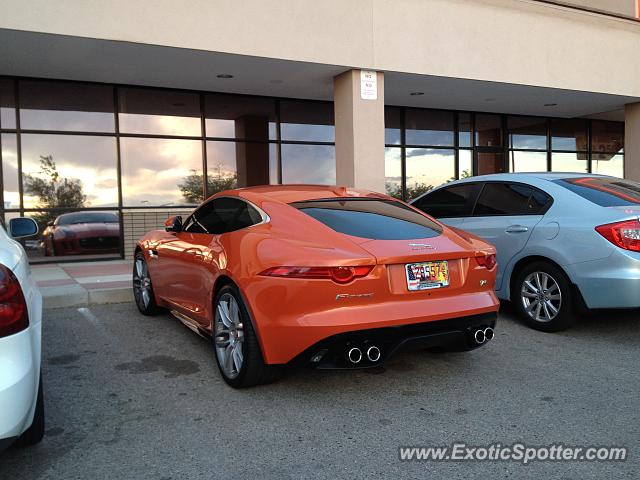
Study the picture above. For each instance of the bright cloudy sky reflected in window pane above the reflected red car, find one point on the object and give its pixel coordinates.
(92, 160)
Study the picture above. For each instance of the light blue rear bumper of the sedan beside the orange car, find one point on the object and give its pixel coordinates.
(612, 282)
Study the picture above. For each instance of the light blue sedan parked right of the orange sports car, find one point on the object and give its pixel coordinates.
(564, 240)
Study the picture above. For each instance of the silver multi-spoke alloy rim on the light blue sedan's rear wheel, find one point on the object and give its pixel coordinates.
(541, 296)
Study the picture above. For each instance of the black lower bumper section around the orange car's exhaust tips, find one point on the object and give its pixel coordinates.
(333, 352)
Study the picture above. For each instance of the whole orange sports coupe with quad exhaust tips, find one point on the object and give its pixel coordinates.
(329, 277)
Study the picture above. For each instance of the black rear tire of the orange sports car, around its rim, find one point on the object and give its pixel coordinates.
(253, 370)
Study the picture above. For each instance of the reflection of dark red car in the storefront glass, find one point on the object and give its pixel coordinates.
(82, 233)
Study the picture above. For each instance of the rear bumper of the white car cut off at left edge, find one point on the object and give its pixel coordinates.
(19, 373)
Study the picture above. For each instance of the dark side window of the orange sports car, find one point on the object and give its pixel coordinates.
(222, 215)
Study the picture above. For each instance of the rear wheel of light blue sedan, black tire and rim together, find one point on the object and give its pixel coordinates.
(547, 320)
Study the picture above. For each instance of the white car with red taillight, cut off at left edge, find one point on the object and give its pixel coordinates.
(21, 398)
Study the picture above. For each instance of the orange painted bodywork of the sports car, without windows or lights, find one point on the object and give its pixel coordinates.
(293, 314)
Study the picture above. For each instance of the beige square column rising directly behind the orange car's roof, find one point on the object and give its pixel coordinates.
(359, 133)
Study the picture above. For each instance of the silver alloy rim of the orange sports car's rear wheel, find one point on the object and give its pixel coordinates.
(229, 336)
